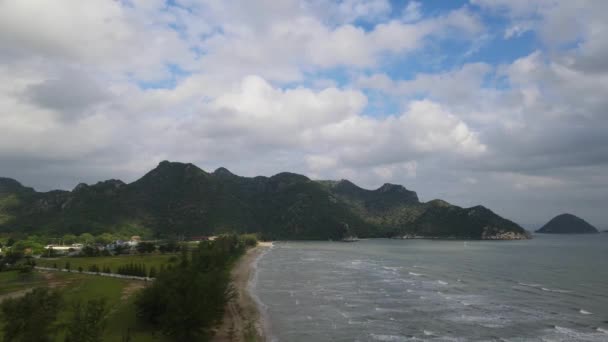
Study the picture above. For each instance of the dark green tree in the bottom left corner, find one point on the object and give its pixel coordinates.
(30, 318)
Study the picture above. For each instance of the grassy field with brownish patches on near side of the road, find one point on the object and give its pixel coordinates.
(75, 287)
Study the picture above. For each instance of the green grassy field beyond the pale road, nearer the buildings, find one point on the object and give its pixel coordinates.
(113, 262)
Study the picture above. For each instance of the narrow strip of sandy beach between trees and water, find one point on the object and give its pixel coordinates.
(242, 319)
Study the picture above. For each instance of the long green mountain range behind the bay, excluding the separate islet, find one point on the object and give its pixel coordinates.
(178, 199)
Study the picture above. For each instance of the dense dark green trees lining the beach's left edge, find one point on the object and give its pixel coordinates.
(186, 301)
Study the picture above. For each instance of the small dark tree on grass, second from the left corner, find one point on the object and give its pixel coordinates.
(88, 322)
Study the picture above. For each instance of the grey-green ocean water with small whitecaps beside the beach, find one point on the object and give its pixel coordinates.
(551, 288)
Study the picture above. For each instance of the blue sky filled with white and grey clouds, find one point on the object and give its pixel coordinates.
(502, 103)
